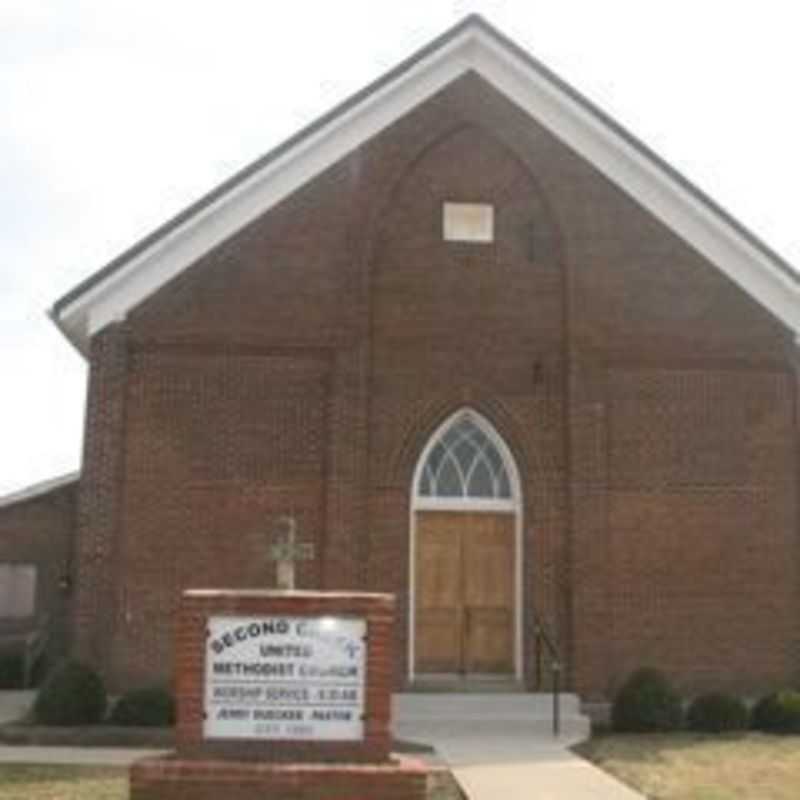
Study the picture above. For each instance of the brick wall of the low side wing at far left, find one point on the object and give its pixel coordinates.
(40, 531)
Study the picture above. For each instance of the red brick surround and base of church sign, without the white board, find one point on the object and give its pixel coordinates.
(251, 769)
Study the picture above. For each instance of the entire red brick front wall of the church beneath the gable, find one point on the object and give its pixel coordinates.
(602, 347)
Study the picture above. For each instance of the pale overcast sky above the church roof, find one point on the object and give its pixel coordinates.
(113, 116)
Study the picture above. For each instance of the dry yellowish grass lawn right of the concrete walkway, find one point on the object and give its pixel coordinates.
(685, 766)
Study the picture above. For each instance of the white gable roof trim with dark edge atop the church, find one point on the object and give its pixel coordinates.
(472, 45)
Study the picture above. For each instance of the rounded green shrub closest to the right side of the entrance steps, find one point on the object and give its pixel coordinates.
(646, 702)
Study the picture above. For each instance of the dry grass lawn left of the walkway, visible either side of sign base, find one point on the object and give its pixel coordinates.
(89, 783)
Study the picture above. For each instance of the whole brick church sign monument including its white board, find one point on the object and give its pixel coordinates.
(284, 695)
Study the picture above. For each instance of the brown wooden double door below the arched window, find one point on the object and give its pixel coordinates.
(464, 592)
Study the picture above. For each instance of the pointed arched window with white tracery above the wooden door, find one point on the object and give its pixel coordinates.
(464, 463)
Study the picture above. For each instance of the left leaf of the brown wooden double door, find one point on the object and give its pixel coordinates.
(439, 606)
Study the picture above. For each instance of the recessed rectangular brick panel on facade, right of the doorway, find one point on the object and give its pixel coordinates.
(701, 524)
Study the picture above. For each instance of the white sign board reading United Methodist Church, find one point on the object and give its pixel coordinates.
(280, 677)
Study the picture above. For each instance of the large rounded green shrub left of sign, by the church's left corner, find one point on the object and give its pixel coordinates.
(74, 694)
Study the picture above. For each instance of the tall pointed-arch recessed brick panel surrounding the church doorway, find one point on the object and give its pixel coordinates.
(460, 324)
